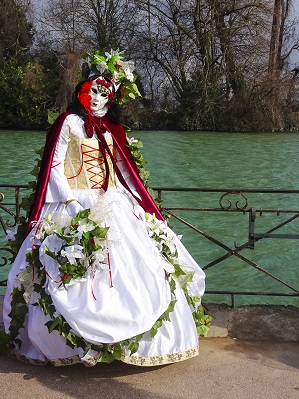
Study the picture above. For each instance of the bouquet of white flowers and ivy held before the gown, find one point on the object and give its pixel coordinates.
(78, 245)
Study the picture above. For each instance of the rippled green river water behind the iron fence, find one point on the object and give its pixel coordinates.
(213, 160)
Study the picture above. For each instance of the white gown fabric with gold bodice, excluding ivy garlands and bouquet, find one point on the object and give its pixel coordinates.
(114, 303)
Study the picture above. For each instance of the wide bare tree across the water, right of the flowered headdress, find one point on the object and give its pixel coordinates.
(207, 50)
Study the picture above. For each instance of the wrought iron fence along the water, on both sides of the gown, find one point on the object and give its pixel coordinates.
(228, 201)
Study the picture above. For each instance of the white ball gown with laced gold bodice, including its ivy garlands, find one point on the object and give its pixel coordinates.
(129, 305)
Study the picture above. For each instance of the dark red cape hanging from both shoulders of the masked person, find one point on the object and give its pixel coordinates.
(119, 138)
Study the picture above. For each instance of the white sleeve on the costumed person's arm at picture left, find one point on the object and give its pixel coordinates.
(58, 189)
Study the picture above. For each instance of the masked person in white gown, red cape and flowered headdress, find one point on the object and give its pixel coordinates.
(100, 276)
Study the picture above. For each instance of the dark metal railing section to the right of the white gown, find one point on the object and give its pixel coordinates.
(239, 194)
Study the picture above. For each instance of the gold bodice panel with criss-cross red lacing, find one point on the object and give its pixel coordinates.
(84, 164)
